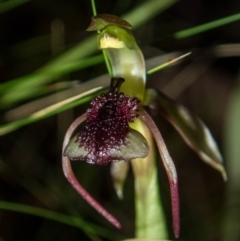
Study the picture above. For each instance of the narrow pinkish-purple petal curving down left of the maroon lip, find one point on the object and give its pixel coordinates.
(73, 180)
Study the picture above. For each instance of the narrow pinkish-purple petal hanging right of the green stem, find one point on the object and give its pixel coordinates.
(169, 167)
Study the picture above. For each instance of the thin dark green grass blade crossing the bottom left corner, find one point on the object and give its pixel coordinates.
(91, 230)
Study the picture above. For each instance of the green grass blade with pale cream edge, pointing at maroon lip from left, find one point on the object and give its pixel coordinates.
(51, 110)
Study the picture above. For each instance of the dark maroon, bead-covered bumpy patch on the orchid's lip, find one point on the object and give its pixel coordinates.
(107, 125)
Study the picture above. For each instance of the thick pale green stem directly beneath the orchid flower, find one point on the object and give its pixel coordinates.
(150, 218)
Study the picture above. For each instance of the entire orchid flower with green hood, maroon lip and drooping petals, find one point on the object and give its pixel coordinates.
(118, 128)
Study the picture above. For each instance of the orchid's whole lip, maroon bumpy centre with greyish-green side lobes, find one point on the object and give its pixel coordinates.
(107, 136)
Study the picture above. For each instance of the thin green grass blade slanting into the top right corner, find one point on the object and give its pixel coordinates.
(207, 26)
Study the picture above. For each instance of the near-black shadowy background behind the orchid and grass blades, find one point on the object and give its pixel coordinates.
(30, 158)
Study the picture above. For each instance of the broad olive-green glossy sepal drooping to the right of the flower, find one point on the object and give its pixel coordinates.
(190, 127)
